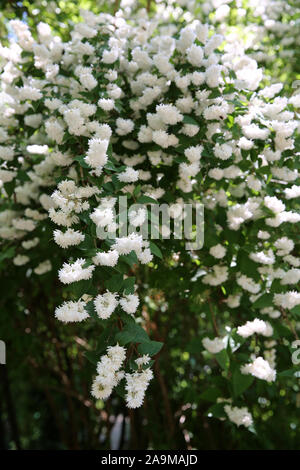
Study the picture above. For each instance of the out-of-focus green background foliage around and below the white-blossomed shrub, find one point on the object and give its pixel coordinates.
(45, 400)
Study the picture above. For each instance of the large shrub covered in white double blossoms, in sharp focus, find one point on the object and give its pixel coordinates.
(156, 112)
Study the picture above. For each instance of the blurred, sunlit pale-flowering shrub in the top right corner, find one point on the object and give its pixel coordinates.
(266, 30)
